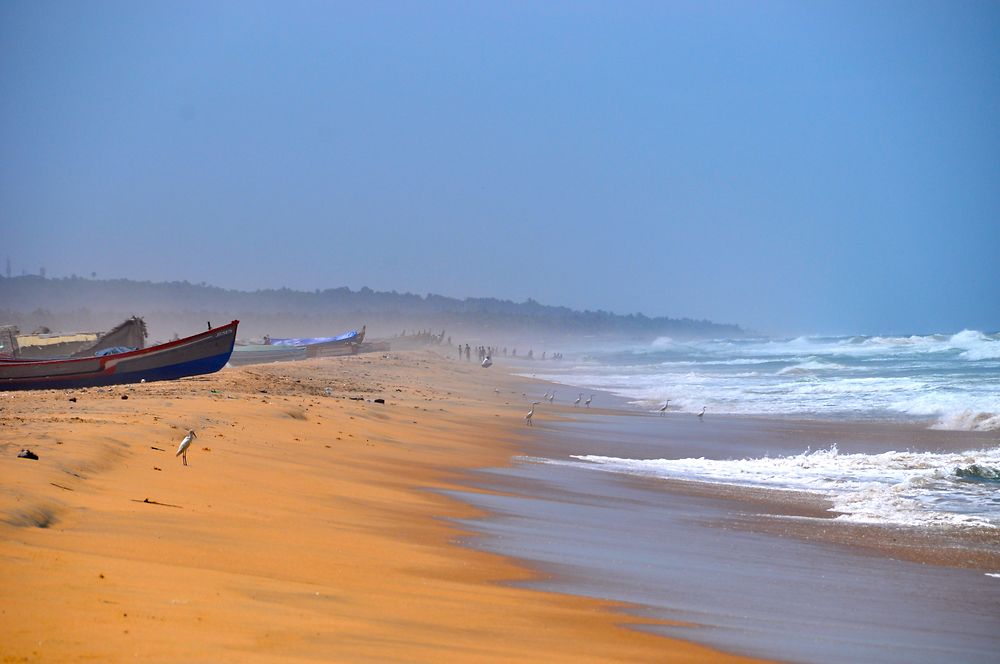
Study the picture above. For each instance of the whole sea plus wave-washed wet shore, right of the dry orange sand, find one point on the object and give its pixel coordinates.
(831, 504)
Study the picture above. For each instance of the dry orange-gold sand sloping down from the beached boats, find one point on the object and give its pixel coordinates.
(310, 523)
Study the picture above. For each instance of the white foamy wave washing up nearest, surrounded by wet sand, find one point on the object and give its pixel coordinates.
(906, 488)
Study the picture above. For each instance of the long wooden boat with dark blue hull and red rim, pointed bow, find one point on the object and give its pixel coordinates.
(202, 353)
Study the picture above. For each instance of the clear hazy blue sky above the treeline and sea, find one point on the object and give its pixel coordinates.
(793, 167)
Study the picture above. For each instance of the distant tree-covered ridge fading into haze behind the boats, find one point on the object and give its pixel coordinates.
(180, 308)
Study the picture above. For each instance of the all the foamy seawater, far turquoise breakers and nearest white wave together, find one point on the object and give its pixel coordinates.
(938, 382)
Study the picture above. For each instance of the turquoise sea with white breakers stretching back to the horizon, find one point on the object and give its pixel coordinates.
(946, 381)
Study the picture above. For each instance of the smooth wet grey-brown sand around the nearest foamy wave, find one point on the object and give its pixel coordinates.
(751, 571)
